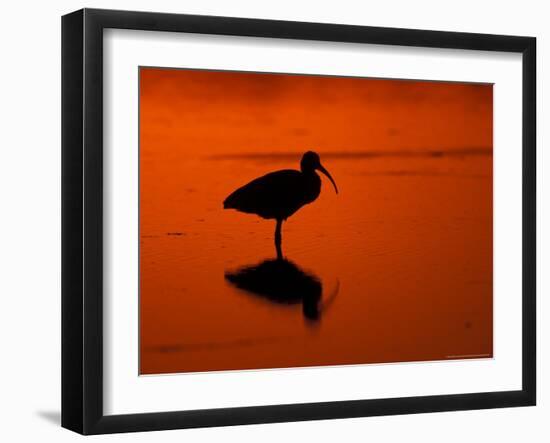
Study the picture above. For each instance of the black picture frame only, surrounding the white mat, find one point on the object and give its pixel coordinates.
(82, 216)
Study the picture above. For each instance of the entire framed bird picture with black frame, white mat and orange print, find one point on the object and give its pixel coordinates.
(269, 221)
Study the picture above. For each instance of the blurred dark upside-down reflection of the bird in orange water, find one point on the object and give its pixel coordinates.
(281, 281)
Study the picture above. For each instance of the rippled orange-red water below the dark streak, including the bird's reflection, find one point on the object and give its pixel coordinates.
(396, 267)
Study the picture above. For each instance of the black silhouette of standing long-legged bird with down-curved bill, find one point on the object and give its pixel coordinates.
(280, 194)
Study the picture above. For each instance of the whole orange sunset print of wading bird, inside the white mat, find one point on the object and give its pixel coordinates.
(292, 220)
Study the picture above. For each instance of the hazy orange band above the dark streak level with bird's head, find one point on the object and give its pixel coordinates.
(220, 111)
